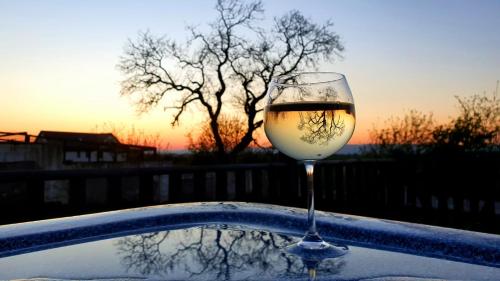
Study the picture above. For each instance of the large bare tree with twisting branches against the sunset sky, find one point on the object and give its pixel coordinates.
(228, 68)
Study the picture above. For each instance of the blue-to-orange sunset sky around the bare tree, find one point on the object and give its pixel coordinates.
(58, 58)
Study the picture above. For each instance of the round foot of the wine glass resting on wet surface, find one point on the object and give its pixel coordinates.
(316, 250)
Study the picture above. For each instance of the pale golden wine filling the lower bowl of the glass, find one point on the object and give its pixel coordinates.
(309, 130)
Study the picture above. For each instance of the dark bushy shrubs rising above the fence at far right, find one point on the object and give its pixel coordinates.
(476, 128)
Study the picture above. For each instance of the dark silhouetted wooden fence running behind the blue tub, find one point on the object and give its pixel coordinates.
(465, 195)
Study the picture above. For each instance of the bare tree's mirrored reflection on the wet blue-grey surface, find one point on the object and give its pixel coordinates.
(215, 253)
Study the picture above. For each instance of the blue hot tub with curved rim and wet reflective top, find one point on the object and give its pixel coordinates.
(238, 241)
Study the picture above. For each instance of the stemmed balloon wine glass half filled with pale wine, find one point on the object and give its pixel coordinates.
(309, 116)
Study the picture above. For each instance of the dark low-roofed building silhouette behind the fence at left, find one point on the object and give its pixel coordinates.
(61, 150)
